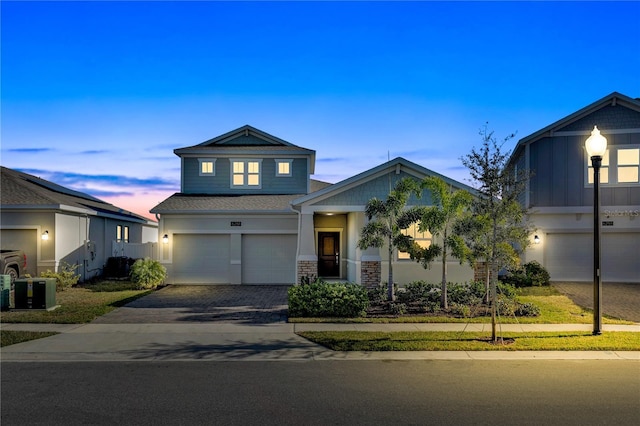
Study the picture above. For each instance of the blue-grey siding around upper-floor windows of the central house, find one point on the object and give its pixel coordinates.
(193, 183)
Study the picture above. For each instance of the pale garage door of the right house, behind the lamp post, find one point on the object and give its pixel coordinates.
(569, 257)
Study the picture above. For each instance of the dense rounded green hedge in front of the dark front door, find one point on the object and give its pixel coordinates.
(322, 299)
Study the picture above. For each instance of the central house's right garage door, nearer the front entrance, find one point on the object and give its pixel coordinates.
(268, 259)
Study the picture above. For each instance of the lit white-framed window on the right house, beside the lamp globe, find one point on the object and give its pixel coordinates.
(620, 166)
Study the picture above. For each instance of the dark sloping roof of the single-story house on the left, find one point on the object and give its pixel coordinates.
(22, 190)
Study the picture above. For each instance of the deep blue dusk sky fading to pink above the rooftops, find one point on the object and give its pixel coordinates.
(97, 95)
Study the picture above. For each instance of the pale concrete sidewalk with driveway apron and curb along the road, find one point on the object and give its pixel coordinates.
(258, 342)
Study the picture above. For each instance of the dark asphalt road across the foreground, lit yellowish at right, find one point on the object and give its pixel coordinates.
(534, 392)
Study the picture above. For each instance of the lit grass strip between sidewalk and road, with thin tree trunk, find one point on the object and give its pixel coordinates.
(473, 341)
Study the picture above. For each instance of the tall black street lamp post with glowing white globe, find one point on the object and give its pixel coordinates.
(596, 146)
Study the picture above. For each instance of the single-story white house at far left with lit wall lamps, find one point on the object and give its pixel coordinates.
(54, 224)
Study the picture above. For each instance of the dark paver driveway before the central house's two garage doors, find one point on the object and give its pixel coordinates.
(234, 304)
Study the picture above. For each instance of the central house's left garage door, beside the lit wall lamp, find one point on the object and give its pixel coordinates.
(200, 259)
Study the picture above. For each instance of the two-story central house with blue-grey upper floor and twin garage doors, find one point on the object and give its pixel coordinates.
(249, 213)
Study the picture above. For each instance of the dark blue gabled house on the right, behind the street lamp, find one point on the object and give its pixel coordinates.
(560, 194)
